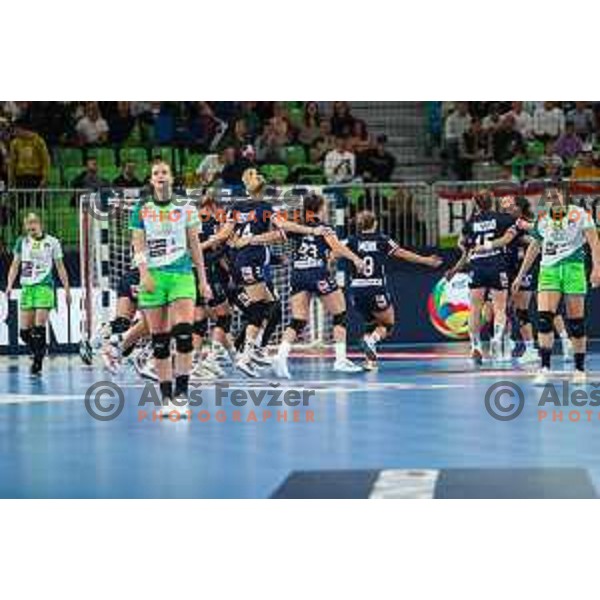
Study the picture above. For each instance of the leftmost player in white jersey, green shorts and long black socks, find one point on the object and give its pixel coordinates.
(35, 255)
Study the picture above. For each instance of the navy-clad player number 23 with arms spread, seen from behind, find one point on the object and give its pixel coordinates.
(311, 277)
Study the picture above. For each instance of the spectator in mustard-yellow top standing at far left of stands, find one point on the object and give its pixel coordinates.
(29, 160)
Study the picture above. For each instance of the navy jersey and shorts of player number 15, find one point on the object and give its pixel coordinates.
(489, 268)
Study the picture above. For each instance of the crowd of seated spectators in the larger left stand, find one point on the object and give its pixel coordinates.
(231, 136)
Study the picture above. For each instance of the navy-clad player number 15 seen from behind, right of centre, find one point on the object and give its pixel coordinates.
(484, 239)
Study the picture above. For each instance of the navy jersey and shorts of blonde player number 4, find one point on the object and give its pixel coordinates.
(250, 217)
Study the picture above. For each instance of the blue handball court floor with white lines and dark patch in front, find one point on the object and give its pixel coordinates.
(418, 427)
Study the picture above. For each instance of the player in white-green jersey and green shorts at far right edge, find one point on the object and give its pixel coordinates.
(560, 234)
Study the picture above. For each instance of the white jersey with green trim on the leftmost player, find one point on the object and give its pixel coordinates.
(37, 258)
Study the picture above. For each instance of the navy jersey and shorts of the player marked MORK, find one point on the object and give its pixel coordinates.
(369, 288)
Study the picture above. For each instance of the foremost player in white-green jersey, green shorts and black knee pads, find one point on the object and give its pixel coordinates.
(165, 241)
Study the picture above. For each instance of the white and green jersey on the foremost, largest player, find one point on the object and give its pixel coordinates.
(165, 226)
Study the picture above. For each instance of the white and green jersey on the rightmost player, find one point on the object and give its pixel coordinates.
(562, 239)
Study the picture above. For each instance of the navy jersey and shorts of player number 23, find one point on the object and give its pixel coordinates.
(310, 263)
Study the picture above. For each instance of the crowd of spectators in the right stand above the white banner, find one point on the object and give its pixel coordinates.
(528, 140)
